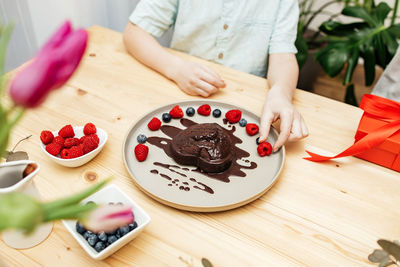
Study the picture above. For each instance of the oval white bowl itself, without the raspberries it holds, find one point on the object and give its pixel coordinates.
(79, 161)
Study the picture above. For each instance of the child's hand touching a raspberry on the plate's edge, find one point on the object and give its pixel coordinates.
(293, 126)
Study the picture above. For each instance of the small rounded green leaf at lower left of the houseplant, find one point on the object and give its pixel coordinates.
(333, 57)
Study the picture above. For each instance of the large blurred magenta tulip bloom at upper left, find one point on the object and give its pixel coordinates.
(51, 68)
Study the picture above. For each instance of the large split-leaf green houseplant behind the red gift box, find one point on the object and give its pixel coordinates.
(373, 37)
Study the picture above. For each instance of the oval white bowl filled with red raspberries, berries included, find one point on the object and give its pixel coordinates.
(73, 146)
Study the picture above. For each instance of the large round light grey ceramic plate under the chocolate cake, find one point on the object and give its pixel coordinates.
(226, 195)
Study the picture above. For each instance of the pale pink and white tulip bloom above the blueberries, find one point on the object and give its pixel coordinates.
(108, 218)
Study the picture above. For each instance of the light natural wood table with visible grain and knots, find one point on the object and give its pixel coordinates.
(317, 214)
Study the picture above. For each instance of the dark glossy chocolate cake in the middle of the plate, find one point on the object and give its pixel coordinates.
(207, 146)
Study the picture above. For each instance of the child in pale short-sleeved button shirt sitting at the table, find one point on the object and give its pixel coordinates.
(249, 35)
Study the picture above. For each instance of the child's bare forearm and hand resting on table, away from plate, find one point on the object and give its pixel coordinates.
(192, 78)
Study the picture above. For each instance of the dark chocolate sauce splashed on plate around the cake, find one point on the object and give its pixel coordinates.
(234, 169)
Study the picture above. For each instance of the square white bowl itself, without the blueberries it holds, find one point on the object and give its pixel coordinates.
(110, 193)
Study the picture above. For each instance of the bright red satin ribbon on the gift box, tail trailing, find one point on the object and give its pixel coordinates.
(374, 107)
